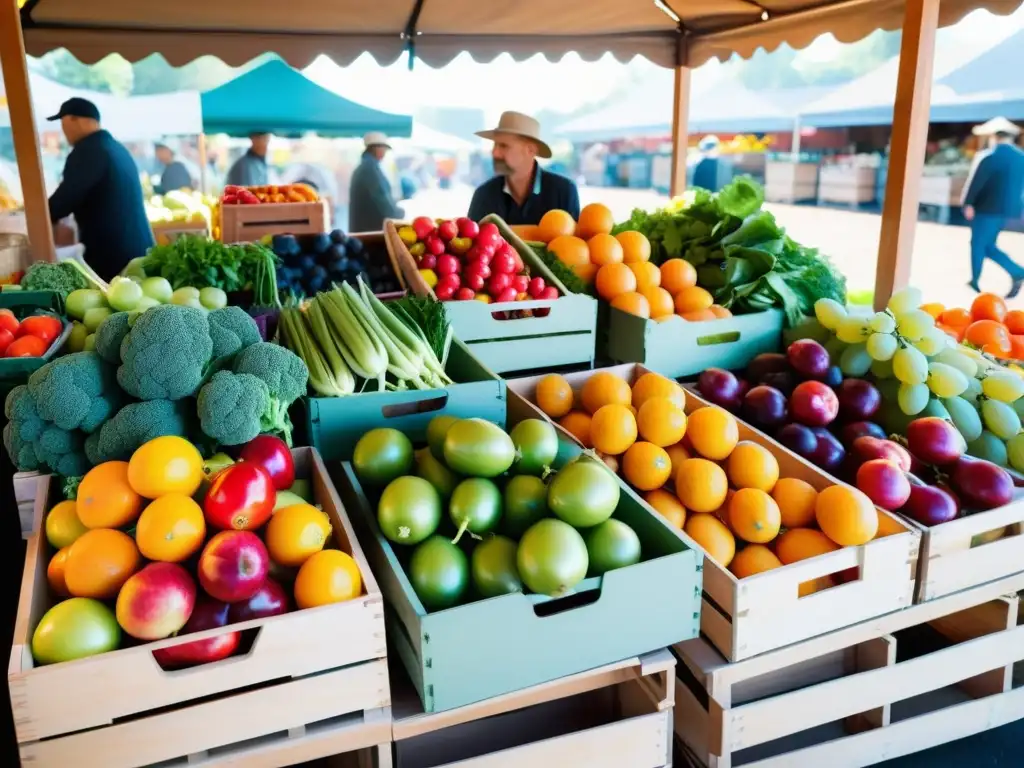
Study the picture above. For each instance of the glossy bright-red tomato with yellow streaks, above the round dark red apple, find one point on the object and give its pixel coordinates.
(241, 498)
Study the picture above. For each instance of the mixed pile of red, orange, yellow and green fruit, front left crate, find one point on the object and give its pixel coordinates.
(154, 547)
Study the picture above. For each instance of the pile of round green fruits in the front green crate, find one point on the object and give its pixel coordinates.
(479, 511)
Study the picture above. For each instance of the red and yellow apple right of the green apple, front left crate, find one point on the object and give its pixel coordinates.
(157, 602)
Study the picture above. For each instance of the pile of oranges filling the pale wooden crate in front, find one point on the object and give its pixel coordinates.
(724, 493)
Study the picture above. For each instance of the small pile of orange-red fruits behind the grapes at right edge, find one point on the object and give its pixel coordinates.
(990, 325)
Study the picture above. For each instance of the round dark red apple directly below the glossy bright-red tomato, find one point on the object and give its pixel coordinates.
(234, 566)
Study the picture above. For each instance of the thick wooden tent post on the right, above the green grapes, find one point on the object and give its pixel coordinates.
(907, 153)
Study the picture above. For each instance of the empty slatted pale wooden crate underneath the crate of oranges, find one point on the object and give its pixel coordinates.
(863, 695)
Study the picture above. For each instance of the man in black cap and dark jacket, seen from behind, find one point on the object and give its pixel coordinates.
(101, 187)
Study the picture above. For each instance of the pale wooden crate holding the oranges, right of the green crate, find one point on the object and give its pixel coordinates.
(745, 618)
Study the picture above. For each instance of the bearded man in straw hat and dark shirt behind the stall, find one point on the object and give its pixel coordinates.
(522, 192)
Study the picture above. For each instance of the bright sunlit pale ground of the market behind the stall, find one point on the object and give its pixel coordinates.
(942, 253)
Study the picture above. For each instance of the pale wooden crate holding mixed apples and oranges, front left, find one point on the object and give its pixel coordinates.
(305, 668)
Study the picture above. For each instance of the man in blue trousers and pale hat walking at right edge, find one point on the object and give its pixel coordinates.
(993, 195)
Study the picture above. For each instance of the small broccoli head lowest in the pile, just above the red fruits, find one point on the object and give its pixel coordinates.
(233, 407)
